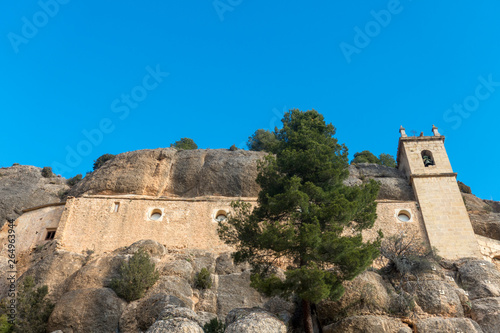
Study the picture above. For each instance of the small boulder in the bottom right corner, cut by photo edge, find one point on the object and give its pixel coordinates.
(486, 312)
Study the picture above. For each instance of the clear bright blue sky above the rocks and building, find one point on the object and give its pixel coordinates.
(142, 74)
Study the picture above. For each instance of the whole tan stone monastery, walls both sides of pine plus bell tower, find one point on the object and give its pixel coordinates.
(104, 222)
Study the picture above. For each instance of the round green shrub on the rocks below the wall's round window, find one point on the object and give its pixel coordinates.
(136, 276)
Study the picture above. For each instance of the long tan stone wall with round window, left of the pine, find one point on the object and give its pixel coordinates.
(91, 223)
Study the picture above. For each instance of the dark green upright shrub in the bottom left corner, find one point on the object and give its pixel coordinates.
(33, 308)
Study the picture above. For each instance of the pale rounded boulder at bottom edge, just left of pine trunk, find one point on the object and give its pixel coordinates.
(253, 320)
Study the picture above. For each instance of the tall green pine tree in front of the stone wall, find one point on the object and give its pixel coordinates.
(303, 209)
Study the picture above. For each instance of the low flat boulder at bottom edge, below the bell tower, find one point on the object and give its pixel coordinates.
(451, 325)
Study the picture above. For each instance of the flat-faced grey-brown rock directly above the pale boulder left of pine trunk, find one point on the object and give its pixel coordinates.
(234, 291)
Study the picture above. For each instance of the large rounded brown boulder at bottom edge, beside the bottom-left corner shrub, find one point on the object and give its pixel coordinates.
(87, 310)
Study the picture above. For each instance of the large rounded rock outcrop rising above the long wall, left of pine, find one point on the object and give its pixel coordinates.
(168, 172)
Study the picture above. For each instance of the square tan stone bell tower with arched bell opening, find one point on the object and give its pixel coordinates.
(424, 161)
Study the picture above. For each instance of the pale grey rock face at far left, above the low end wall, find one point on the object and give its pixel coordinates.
(22, 187)
